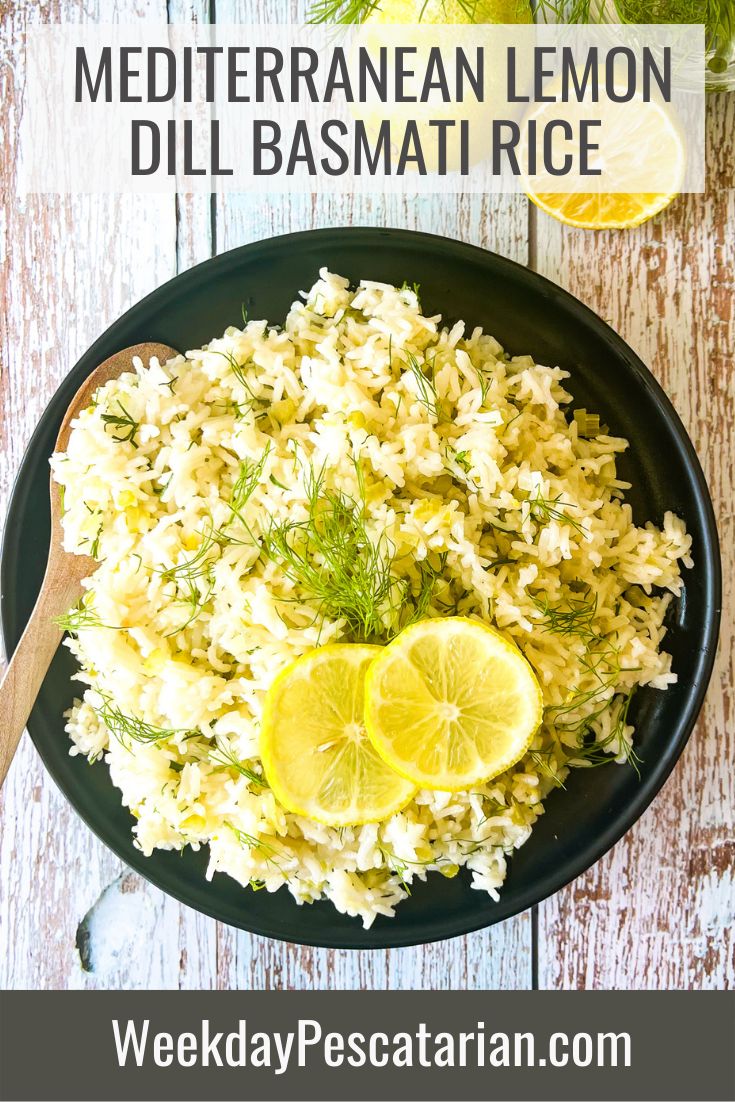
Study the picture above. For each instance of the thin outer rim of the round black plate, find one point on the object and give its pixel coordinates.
(392, 937)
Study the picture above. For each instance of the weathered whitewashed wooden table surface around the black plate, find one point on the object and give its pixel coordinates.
(657, 912)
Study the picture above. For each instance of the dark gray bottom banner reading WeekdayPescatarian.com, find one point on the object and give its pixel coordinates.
(429, 1046)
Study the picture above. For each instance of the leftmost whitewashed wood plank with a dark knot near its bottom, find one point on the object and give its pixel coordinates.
(70, 267)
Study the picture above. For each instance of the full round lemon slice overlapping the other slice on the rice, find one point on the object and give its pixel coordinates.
(451, 704)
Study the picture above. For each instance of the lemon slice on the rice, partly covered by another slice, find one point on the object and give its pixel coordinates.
(318, 759)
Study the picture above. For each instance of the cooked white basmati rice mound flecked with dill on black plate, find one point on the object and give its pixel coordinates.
(482, 473)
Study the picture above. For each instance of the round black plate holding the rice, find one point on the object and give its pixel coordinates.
(527, 315)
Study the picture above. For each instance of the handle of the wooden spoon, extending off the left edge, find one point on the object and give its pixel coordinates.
(34, 655)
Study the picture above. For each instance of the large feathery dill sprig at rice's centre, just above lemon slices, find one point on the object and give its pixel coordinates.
(332, 557)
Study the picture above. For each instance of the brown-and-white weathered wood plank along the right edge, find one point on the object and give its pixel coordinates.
(660, 911)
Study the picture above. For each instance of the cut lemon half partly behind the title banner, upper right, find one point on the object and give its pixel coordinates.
(639, 145)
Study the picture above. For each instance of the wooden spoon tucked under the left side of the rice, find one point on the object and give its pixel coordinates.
(62, 582)
